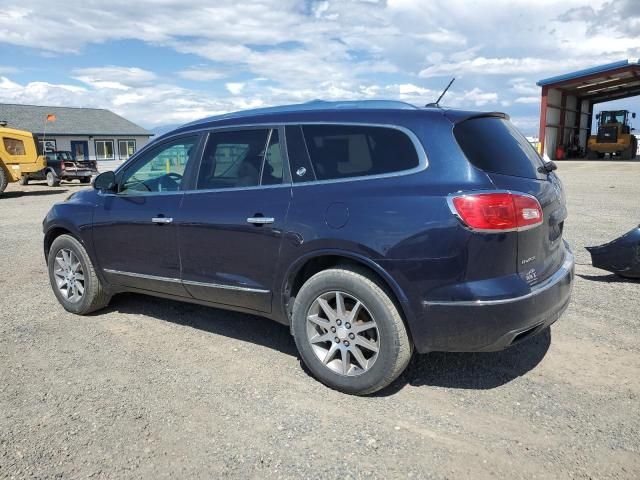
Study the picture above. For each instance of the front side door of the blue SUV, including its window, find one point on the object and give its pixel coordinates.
(134, 230)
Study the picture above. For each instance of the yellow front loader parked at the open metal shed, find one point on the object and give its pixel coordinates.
(614, 136)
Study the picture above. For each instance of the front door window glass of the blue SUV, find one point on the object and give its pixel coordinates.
(161, 170)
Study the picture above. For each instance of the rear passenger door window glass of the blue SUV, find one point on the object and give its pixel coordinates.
(234, 159)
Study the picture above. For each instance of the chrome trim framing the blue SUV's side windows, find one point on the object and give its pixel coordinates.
(423, 160)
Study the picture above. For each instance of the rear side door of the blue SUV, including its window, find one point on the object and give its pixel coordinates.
(232, 223)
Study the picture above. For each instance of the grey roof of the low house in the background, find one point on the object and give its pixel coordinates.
(69, 121)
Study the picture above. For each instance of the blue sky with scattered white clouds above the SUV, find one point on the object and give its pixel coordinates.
(166, 62)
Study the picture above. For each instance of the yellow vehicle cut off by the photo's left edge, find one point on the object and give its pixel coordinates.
(19, 156)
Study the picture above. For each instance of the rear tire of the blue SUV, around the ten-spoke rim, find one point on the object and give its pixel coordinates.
(389, 335)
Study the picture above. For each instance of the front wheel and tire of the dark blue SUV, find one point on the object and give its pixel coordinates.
(94, 296)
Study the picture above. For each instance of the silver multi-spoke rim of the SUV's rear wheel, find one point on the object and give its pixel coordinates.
(342, 333)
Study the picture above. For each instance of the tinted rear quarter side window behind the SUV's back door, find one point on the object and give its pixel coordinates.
(343, 151)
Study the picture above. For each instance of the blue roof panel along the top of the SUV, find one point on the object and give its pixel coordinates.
(313, 105)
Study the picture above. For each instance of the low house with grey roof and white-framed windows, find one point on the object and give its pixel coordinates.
(89, 133)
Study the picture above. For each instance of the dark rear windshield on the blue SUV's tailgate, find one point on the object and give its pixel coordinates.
(495, 145)
